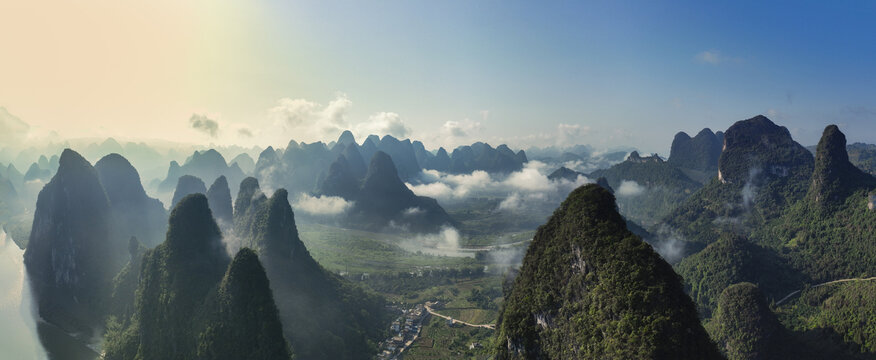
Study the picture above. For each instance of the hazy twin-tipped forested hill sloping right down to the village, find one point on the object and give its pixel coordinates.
(324, 316)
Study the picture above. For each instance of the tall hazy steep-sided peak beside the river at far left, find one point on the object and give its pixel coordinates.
(71, 257)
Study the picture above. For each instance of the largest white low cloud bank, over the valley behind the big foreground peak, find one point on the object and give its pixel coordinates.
(528, 188)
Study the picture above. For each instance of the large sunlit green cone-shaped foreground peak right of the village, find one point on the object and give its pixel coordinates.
(589, 288)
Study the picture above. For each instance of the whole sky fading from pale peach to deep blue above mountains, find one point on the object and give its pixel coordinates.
(447, 72)
